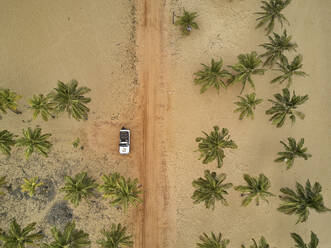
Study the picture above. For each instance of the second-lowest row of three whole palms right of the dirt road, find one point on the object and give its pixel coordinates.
(212, 188)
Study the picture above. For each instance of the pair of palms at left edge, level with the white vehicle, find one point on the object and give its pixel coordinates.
(32, 140)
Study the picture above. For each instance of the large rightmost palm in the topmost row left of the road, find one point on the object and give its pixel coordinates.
(69, 97)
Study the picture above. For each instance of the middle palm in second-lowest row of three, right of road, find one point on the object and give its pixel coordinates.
(256, 187)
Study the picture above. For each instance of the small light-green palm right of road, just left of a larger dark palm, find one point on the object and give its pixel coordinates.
(246, 105)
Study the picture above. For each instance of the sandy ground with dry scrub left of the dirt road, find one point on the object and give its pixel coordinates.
(94, 42)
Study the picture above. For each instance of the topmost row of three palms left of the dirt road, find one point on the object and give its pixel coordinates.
(66, 97)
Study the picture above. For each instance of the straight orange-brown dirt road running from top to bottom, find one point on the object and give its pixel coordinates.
(154, 109)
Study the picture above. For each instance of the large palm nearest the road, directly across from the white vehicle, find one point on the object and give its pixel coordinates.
(212, 146)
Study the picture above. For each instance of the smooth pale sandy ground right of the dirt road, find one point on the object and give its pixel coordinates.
(226, 30)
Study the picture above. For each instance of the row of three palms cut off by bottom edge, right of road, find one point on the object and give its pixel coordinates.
(217, 241)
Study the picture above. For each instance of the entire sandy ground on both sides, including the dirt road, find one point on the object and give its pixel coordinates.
(94, 42)
